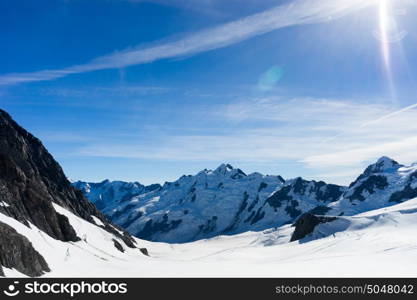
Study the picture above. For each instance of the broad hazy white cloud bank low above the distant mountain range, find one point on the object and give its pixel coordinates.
(284, 131)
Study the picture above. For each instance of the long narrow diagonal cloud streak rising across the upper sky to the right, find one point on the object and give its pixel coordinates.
(297, 13)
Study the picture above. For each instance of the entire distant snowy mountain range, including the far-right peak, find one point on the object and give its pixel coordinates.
(228, 201)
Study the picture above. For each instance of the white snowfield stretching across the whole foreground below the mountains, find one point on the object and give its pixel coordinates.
(379, 243)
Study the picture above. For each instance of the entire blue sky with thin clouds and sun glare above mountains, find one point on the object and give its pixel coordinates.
(150, 90)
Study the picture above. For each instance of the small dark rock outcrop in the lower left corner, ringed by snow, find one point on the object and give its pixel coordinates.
(17, 252)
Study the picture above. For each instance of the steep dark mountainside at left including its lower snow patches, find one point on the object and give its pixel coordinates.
(43, 219)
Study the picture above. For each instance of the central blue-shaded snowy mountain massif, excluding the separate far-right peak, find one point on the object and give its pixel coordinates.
(223, 201)
